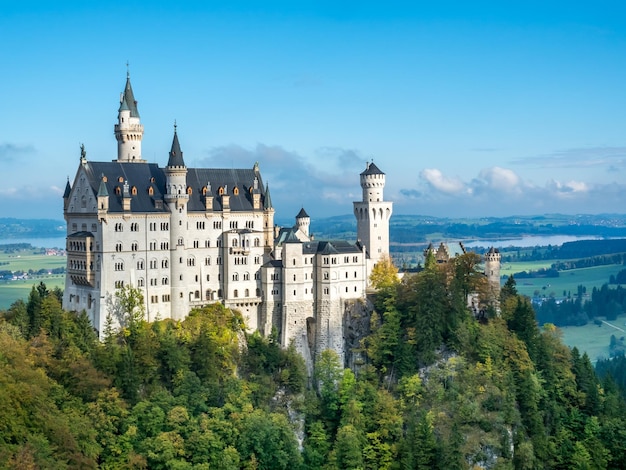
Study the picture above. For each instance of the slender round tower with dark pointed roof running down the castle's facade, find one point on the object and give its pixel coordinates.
(176, 198)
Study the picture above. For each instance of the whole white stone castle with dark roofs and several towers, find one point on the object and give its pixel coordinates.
(187, 237)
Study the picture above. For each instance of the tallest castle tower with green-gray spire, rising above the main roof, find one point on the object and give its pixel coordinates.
(128, 130)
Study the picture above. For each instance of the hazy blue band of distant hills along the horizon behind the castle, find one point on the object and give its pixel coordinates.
(404, 229)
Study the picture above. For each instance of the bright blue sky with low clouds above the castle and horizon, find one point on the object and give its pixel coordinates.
(471, 109)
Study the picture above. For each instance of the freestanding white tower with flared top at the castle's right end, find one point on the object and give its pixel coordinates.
(373, 214)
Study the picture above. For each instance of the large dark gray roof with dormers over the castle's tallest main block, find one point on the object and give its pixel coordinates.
(143, 176)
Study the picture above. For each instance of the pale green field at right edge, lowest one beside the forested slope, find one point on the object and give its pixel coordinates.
(594, 339)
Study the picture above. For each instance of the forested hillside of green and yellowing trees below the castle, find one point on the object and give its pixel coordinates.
(438, 388)
